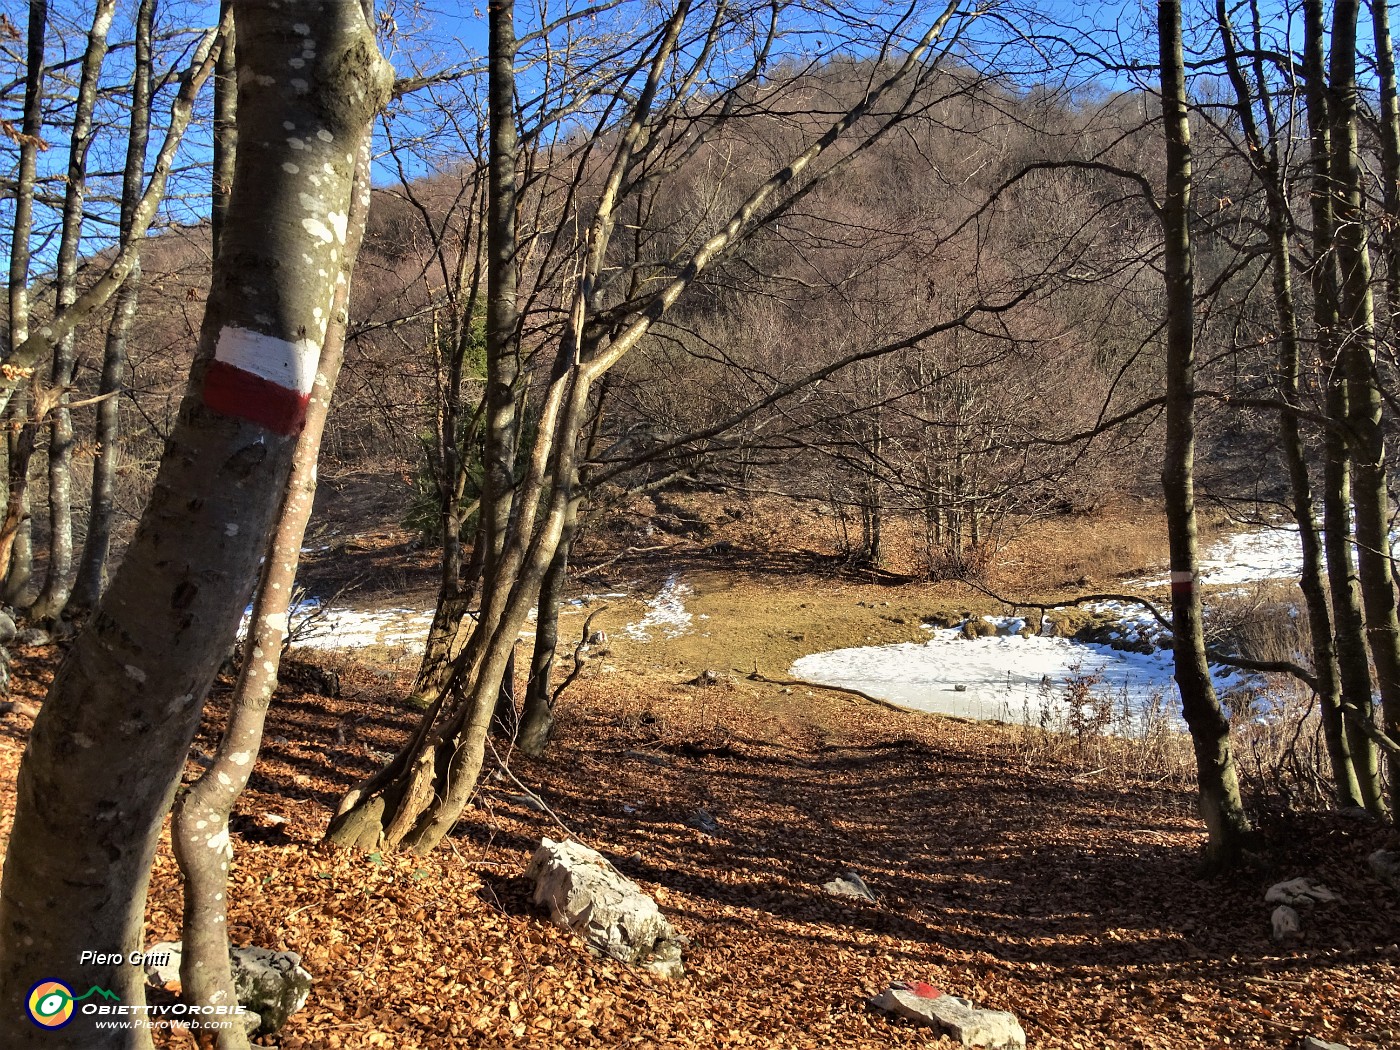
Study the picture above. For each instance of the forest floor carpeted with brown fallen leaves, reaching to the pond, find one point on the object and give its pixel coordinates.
(1010, 867)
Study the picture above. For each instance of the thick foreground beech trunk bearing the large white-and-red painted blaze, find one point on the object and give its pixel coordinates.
(110, 744)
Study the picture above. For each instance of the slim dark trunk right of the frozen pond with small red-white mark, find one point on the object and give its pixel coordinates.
(1220, 800)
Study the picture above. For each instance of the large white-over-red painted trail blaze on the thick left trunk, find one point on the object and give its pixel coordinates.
(262, 379)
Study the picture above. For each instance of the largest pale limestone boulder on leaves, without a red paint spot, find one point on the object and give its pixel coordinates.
(587, 895)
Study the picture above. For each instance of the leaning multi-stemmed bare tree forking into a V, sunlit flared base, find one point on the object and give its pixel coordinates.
(418, 799)
